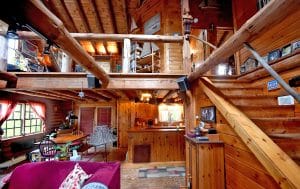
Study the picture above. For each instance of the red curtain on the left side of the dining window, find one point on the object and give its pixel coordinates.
(6, 108)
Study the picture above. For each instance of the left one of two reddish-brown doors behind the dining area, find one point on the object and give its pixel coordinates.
(87, 119)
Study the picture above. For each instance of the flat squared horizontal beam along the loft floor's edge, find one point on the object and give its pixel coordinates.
(64, 81)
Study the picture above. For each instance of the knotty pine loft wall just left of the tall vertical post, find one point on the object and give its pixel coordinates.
(170, 23)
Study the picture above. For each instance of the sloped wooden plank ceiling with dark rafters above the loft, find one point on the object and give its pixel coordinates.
(95, 16)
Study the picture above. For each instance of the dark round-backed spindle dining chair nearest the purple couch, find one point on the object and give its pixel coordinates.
(47, 149)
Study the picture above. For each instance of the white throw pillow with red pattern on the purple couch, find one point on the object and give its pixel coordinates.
(75, 178)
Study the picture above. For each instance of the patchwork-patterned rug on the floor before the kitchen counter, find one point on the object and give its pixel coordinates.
(156, 172)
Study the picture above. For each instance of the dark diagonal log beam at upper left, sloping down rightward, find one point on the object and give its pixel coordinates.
(51, 27)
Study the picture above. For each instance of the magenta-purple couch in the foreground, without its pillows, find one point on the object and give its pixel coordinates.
(50, 174)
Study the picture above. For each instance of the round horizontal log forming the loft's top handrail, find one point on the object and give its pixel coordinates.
(108, 37)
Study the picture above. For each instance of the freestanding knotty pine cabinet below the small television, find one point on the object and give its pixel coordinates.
(204, 164)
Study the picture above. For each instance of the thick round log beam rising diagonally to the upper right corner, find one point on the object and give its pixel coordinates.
(265, 19)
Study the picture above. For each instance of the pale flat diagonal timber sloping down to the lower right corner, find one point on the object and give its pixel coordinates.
(281, 167)
